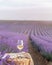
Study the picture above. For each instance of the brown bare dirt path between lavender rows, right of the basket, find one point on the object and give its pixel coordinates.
(37, 58)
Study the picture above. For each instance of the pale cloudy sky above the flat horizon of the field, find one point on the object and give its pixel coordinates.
(25, 9)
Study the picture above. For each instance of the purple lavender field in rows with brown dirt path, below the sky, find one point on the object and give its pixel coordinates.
(37, 38)
